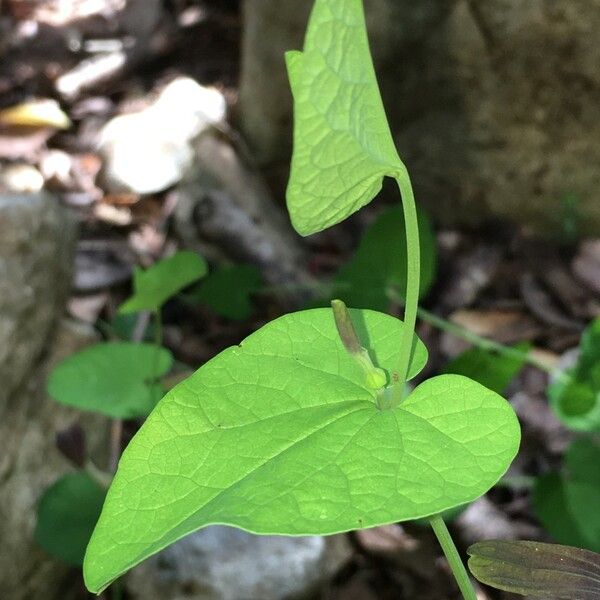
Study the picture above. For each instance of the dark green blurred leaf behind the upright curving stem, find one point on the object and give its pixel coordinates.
(379, 262)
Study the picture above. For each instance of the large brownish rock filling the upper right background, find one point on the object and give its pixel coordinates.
(507, 127)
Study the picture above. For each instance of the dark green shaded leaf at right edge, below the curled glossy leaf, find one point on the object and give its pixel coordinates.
(565, 502)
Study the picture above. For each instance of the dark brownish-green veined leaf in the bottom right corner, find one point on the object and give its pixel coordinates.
(537, 570)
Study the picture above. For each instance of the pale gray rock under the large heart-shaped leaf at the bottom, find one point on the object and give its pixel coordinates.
(222, 563)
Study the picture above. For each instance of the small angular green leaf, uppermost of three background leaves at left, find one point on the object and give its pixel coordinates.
(154, 286)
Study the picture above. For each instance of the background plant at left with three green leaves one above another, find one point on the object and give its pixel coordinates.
(120, 380)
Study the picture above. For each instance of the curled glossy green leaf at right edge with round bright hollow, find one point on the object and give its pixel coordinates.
(575, 397)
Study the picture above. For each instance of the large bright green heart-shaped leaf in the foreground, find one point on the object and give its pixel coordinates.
(282, 435)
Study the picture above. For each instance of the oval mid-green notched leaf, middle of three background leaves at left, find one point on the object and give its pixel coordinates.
(112, 378)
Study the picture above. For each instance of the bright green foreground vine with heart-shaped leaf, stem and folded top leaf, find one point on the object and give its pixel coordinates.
(307, 426)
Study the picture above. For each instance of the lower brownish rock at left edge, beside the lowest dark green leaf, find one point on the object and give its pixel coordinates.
(29, 463)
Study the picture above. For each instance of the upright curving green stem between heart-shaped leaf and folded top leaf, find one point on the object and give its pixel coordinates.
(413, 274)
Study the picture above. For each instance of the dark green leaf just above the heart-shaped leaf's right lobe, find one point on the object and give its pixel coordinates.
(491, 369)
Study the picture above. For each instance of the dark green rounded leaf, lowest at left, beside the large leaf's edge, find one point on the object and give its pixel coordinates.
(67, 514)
